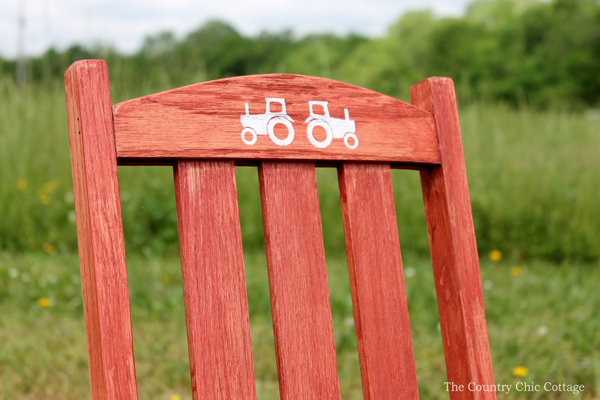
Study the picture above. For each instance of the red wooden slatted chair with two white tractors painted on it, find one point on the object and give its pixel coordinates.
(204, 130)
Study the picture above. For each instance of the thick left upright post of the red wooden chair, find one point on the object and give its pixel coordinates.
(100, 231)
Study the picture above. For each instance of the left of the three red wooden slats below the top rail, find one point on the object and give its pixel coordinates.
(216, 305)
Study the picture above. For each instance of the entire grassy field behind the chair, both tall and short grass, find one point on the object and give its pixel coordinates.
(534, 180)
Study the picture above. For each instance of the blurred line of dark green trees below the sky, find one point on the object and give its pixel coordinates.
(537, 53)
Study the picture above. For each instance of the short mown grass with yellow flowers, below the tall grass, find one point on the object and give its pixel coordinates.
(544, 319)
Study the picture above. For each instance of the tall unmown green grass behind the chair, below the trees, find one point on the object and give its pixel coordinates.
(534, 179)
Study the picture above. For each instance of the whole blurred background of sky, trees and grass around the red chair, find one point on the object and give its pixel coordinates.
(527, 76)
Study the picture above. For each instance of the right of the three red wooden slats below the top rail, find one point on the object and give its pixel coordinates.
(376, 282)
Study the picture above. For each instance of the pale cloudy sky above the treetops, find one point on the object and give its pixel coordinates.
(124, 24)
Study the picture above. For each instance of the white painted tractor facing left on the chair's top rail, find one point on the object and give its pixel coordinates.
(263, 124)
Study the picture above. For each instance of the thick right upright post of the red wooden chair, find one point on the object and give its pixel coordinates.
(453, 246)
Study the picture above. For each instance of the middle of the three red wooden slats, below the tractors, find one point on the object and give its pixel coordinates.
(304, 343)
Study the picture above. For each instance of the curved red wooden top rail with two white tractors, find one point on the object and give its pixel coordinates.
(275, 117)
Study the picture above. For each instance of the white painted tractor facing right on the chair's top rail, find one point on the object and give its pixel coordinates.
(335, 128)
